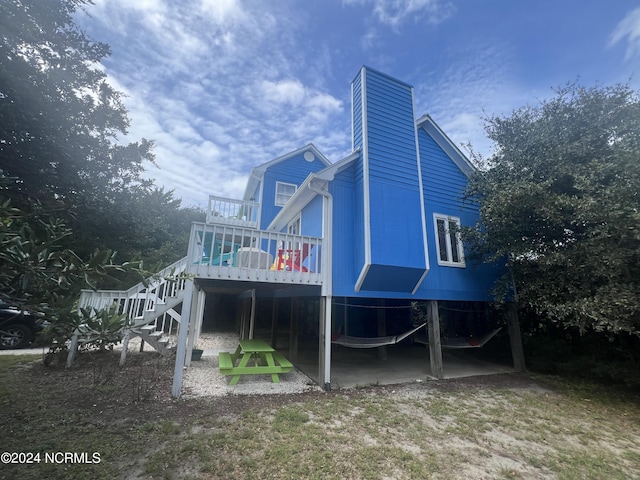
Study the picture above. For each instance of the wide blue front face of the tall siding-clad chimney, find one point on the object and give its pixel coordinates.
(395, 221)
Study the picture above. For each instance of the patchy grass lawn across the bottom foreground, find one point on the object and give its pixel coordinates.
(496, 427)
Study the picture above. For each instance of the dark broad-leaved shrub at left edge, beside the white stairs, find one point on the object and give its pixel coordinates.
(40, 276)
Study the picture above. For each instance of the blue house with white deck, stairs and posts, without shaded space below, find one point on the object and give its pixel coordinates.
(378, 228)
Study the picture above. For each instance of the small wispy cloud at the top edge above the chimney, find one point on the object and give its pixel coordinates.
(395, 12)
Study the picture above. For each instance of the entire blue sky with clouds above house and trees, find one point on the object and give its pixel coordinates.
(225, 85)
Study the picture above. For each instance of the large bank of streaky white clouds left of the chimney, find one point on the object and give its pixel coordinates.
(219, 88)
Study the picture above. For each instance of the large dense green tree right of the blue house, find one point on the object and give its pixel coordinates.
(560, 203)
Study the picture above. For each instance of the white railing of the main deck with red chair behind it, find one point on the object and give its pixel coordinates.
(236, 253)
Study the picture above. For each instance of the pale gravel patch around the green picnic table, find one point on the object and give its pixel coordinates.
(203, 378)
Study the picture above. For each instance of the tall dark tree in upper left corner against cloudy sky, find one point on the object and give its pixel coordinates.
(59, 118)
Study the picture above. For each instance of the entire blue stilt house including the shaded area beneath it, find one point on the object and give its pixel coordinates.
(354, 270)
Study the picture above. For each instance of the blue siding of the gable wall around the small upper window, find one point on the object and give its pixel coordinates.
(293, 170)
